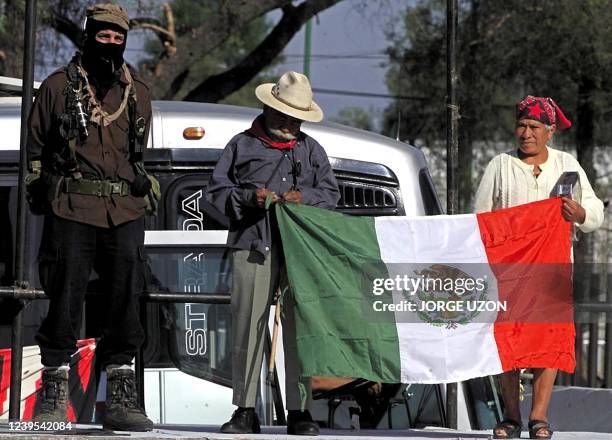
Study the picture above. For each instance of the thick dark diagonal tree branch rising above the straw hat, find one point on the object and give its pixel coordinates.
(217, 87)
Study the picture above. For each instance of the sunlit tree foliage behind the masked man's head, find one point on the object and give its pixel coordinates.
(211, 48)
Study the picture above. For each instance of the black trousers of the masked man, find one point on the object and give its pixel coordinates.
(68, 252)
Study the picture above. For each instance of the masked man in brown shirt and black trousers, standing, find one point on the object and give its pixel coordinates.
(87, 129)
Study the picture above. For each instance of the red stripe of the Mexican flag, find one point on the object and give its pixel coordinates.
(529, 250)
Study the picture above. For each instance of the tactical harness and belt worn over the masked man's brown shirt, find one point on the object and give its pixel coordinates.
(63, 172)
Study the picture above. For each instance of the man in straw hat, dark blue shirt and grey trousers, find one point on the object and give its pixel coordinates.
(270, 162)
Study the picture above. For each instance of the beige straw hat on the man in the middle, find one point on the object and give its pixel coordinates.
(291, 95)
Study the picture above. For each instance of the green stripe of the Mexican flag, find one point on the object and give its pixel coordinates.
(332, 260)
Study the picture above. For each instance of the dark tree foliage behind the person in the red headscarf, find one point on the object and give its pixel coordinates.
(506, 49)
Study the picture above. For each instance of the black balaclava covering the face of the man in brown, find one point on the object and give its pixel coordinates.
(102, 61)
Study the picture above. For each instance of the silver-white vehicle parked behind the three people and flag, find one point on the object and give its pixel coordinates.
(187, 355)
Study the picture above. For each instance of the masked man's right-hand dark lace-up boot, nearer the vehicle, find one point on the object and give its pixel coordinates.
(122, 410)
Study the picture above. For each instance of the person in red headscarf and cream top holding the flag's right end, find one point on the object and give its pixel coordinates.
(527, 174)
